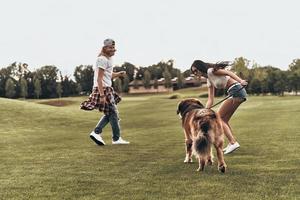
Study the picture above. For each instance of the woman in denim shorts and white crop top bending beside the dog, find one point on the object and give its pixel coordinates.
(220, 78)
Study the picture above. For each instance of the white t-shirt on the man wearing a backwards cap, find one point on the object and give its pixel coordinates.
(107, 65)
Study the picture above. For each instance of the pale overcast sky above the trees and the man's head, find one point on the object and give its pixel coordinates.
(67, 33)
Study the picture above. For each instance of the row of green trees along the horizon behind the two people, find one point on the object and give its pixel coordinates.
(16, 81)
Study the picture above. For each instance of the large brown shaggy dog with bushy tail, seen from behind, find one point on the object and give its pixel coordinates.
(202, 128)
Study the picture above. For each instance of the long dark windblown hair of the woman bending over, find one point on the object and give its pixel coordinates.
(203, 66)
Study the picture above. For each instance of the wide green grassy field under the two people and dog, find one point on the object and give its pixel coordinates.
(46, 152)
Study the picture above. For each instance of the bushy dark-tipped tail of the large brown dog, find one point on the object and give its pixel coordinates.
(203, 140)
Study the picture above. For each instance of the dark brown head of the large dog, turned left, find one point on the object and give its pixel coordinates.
(187, 105)
